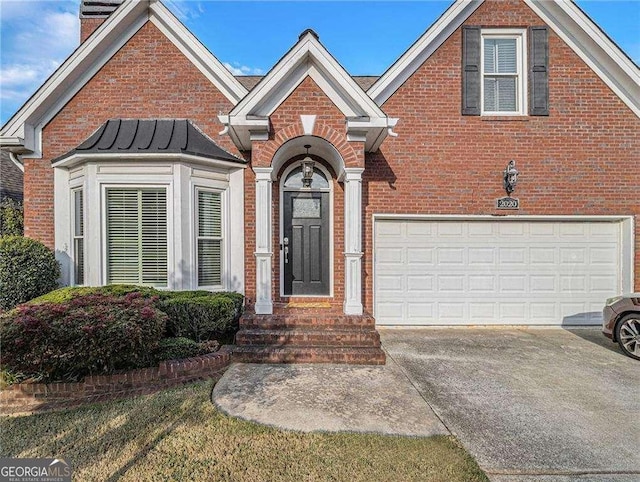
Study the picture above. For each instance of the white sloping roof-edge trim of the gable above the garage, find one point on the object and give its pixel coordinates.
(575, 28)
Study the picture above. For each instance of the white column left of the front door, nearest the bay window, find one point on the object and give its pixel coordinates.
(264, 251)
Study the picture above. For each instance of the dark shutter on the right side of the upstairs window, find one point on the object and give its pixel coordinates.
(539, 71)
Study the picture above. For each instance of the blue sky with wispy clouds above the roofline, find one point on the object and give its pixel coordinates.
(250, 36)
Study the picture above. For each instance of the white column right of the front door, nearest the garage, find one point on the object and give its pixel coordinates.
(353, 241)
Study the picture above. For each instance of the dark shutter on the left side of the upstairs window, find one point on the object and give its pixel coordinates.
(471, 71)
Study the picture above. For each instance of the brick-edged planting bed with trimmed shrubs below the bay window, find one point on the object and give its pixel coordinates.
(82, 343)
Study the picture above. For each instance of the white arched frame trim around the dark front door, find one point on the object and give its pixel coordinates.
(281, 190)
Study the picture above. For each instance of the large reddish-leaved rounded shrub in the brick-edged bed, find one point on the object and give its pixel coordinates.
(88, 334)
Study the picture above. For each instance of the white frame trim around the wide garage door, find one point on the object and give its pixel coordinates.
(627, 236)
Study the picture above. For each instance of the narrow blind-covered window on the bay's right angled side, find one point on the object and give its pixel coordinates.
(209, 238)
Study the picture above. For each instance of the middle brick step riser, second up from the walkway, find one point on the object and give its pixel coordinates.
(364, 339)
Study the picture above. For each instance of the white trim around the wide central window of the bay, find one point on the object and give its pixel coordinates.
(170, 229)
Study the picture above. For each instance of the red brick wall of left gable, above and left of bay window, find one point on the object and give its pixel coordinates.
(149, 77)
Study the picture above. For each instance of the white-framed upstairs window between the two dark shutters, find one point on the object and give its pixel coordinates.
(503, 71)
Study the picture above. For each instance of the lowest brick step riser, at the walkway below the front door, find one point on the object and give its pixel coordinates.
(317, 357)
